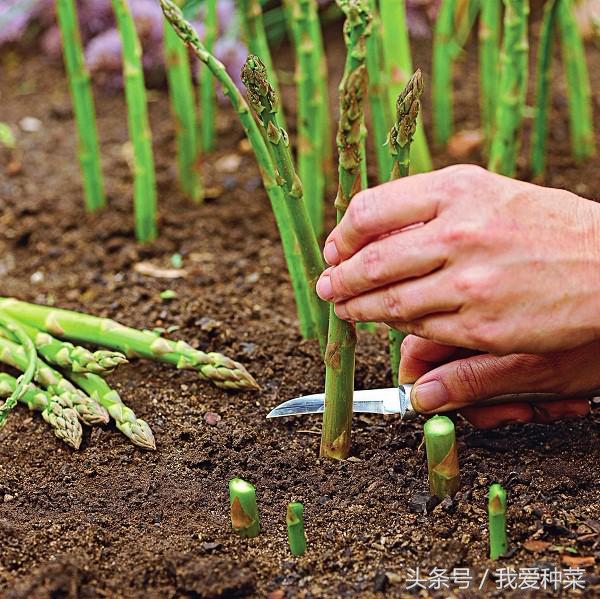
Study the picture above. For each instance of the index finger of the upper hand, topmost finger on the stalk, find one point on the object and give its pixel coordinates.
(382, 210)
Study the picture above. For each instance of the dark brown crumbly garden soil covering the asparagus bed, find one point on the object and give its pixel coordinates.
(111, 520)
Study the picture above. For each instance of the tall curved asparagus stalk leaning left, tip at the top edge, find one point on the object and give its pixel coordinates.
(269, 176)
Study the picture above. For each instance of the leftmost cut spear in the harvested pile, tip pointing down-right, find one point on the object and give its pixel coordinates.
(55, 411)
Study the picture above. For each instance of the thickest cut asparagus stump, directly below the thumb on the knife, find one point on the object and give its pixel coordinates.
(442, 457)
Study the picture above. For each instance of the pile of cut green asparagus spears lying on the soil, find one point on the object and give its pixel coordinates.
(65, 382)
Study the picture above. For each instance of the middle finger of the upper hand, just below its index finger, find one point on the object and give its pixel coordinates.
(378, 264)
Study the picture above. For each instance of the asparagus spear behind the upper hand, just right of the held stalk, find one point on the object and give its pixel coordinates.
(399, 141)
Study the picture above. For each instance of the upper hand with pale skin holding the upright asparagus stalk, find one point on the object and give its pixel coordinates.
(499, 265)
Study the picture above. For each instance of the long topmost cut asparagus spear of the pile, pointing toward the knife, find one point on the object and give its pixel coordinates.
(219, 369)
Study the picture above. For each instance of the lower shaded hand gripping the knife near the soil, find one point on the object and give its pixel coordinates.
(446, 375)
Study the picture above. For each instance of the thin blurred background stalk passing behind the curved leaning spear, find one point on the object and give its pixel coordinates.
(208, 102)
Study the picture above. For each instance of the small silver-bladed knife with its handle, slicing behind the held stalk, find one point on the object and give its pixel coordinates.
(396, 400)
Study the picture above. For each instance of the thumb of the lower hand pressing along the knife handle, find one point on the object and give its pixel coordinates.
(472, 379)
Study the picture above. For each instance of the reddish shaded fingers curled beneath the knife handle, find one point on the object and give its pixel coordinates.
(542, 413)
